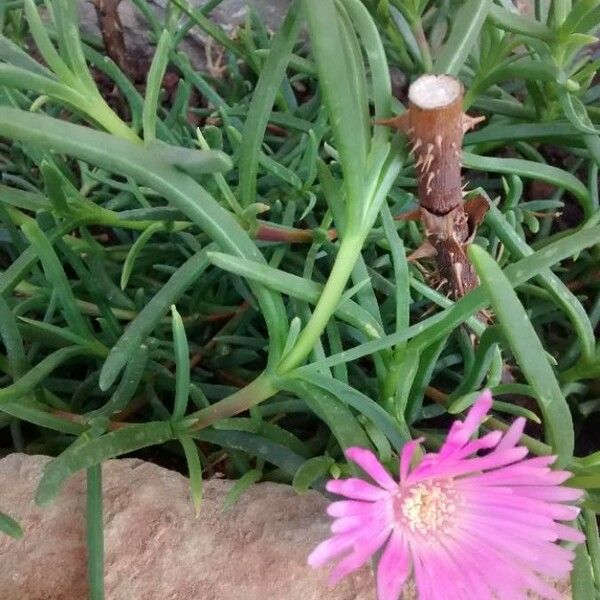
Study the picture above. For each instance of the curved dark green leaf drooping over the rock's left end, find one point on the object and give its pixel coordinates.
(86, 453)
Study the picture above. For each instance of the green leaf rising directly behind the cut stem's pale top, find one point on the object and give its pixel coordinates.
(467, 24)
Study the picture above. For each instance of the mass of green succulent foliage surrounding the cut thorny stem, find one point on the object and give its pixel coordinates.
(269, 220)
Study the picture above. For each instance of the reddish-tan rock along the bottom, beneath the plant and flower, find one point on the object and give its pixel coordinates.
(156, 549)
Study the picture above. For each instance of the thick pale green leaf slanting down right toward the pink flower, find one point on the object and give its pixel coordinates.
(528, 352)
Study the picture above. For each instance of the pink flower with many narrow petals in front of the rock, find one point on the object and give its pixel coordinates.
(466, 524)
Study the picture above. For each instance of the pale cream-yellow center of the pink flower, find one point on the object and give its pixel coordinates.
(427, 507)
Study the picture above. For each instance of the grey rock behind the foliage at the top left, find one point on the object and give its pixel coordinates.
(229, 14)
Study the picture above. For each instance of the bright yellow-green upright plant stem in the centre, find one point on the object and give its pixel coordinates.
(334, 288)
